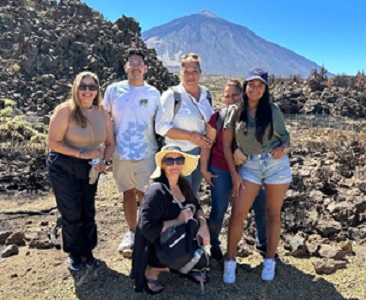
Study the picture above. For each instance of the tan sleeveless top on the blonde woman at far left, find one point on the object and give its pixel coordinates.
(90, 137)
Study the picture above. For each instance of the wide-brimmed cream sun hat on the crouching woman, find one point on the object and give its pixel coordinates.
(190, 162)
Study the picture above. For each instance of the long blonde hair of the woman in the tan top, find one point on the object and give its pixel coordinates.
(74, 102)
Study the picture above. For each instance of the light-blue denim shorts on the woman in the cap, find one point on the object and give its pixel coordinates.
(263, 168)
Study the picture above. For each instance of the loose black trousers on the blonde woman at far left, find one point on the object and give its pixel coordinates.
(75, 201)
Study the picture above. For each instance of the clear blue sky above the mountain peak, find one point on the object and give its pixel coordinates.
(329, 32)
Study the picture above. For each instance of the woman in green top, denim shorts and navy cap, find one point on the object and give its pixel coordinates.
(259, 129)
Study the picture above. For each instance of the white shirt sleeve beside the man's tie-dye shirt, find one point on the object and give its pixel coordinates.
(165, 114)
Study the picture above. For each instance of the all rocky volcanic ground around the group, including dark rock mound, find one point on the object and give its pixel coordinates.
(323, 242)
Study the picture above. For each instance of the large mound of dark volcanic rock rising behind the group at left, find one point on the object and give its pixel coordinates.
(44, 45)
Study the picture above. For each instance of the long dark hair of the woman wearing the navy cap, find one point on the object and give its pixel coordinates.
(263, 115)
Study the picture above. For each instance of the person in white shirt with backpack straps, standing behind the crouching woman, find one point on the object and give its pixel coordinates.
(183, 124)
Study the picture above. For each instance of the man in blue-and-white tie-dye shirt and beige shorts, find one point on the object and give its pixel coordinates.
(132, 104)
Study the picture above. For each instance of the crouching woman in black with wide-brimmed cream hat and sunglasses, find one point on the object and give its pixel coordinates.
(159, 212)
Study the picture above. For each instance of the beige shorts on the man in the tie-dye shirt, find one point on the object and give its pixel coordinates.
(130, 174)
